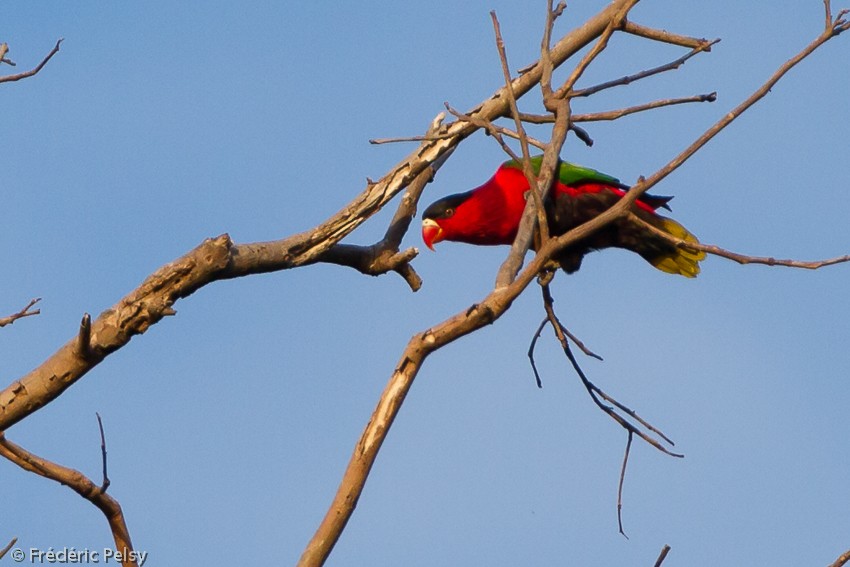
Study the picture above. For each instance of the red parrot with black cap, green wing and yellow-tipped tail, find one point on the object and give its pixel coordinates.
(490, 214)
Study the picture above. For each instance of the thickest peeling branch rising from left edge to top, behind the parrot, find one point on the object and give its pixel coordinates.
(219, 258)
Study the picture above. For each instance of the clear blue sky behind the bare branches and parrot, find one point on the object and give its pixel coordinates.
(229, 426)
